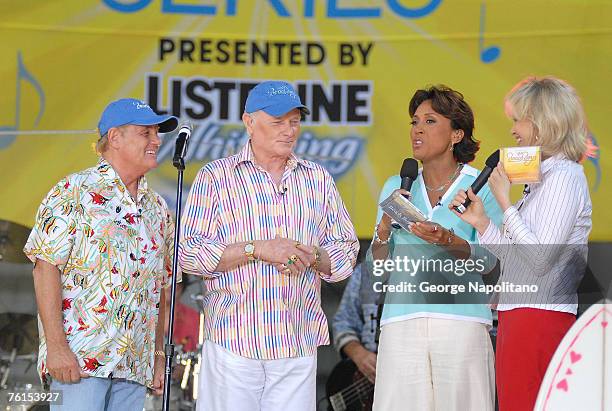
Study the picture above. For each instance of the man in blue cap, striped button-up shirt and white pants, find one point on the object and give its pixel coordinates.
(264, 227)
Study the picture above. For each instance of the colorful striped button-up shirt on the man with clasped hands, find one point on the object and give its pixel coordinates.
(253, 310)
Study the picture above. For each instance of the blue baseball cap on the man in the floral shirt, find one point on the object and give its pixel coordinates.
(131, 111)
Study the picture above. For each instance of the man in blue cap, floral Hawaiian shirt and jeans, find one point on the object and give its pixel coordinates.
(102, 248)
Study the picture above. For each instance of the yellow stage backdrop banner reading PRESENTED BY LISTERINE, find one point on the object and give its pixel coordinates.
(355, 63)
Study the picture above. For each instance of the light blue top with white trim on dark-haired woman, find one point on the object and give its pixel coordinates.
(468, 306)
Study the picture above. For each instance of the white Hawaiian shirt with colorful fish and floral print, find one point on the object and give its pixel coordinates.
(114, 256)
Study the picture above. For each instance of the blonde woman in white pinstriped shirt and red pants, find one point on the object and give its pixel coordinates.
(543, 239)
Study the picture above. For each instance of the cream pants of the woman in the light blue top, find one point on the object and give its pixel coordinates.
(435, 364)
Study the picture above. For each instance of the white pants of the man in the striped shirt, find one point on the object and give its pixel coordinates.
(229, 382)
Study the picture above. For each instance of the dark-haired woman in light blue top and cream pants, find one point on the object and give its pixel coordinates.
(435, 351)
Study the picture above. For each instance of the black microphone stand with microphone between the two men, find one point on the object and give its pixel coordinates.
(179, 163)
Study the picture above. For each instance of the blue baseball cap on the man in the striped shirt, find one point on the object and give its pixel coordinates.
(276, 98)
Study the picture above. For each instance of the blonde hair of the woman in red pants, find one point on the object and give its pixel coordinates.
(554, 109)
